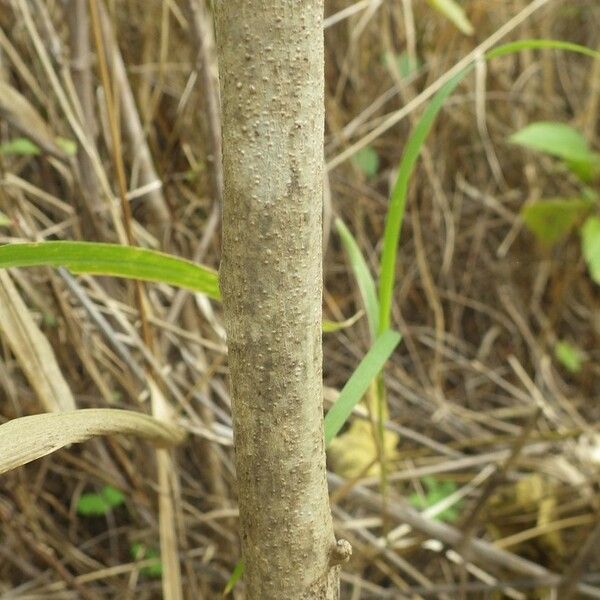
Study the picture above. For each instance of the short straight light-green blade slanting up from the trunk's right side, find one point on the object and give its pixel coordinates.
(359, 382)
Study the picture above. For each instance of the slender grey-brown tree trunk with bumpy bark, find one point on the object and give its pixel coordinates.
(271, 73)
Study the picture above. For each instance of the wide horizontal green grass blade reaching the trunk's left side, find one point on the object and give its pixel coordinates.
(113, 260)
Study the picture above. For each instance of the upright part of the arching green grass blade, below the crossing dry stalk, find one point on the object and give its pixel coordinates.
(396, 209)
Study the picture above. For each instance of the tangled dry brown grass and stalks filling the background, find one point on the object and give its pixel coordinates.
(479, 303)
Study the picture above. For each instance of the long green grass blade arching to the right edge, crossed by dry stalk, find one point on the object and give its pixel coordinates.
(396, 209)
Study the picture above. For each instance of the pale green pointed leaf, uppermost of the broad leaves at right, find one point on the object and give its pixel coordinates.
(557, 139)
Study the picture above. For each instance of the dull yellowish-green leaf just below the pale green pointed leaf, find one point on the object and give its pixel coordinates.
(552, 220)
